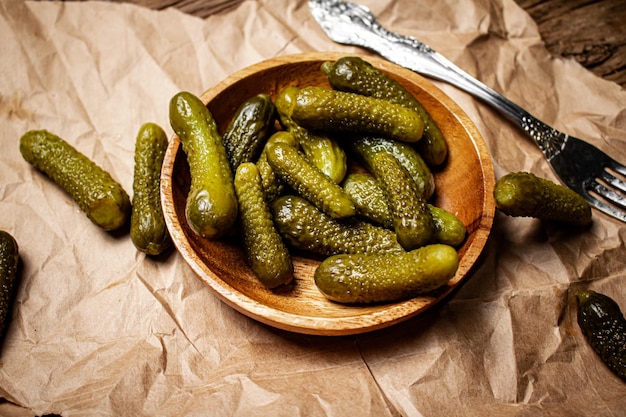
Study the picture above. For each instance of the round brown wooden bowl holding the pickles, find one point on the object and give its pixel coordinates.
(464, 187)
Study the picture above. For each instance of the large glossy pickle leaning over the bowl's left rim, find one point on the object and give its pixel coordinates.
(211, 207)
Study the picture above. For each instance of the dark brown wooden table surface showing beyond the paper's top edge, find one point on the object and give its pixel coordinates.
(591, 32)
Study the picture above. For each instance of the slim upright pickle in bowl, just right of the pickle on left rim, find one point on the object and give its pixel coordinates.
(265, 250)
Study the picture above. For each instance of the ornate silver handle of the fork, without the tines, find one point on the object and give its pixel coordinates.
(413, 54)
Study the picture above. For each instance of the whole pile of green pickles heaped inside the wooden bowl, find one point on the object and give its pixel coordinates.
(296, 188)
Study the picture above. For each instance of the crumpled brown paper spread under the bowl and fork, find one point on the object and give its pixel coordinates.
(100, 329)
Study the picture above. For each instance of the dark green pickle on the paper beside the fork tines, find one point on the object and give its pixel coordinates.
(523, 194)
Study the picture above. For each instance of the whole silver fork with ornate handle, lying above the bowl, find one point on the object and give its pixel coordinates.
(578, 164)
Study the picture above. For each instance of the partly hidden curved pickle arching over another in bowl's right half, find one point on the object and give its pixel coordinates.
(367, 147)
